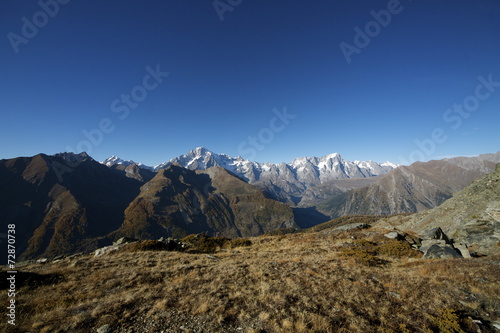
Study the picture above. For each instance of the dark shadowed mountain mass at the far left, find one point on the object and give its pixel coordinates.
(61, 205)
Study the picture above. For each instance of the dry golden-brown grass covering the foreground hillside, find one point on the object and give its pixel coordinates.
(294, 283)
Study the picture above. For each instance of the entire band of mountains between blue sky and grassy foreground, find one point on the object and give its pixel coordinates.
(68, 203)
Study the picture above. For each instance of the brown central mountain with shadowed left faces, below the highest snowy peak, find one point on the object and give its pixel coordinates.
(178, 201)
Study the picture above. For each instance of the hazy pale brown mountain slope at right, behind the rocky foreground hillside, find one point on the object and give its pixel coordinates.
(410, 189)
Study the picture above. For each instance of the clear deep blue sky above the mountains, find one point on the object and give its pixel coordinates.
(269, 82)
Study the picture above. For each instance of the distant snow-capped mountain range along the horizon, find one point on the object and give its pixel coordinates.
(285, 181)
